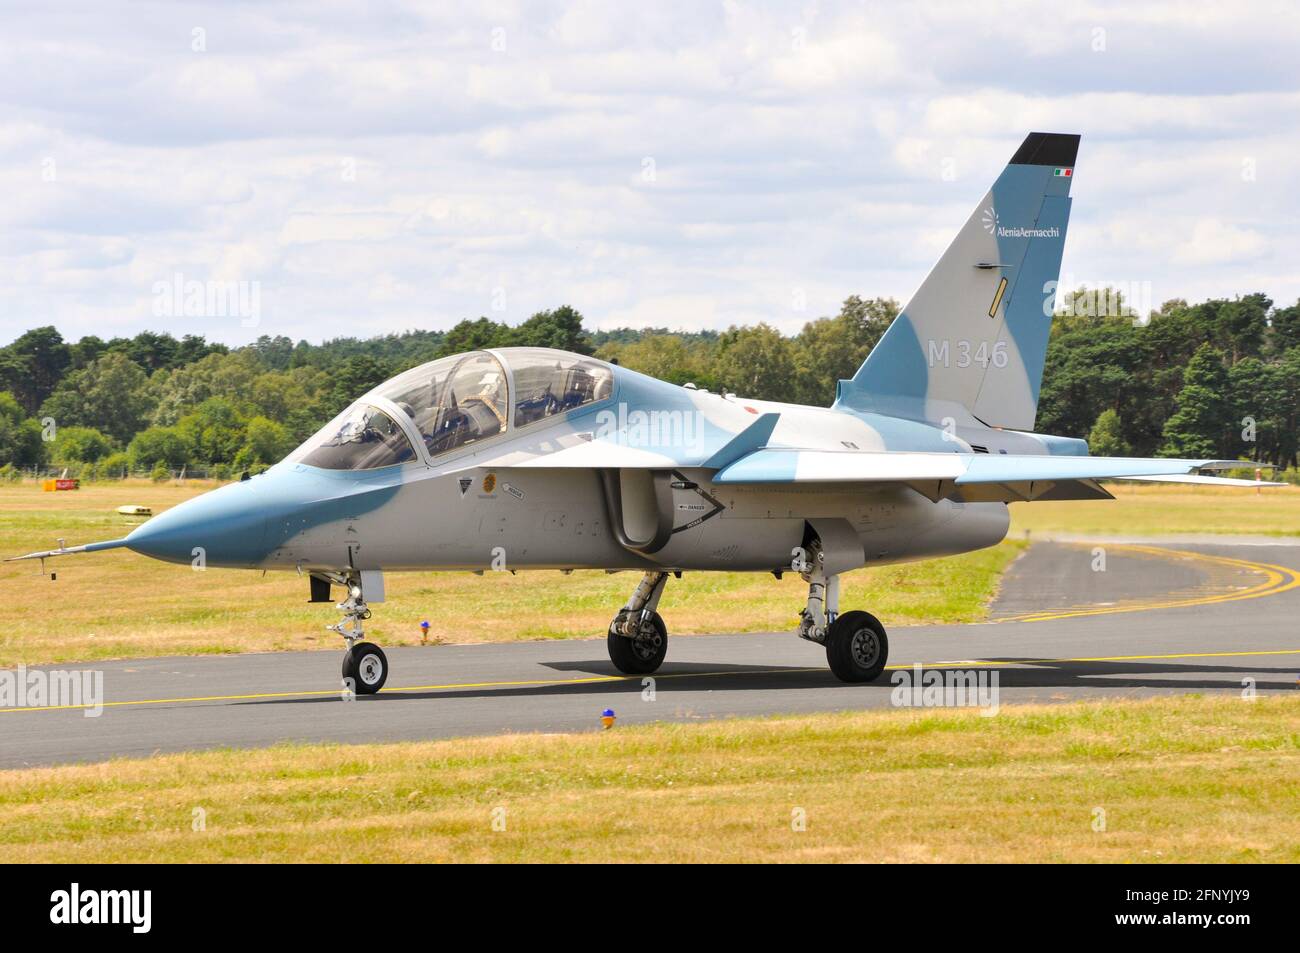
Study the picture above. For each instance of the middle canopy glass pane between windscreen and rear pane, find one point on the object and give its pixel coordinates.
(456, 401)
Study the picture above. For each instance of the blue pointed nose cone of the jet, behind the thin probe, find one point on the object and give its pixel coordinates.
(226, 527)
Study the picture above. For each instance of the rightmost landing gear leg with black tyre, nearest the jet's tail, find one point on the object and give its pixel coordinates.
(857, 647)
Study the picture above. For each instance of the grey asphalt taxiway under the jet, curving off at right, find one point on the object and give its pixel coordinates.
(1073, 621)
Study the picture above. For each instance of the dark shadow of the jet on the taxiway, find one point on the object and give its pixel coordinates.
(1028, 674)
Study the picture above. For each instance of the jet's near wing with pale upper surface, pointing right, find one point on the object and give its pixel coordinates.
(974, 478)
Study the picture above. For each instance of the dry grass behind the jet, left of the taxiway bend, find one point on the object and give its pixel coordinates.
(120, 605)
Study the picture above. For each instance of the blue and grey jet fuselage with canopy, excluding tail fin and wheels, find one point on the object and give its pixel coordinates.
(612, 479)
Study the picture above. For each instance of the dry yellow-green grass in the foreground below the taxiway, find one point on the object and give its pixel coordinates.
(1185, 779)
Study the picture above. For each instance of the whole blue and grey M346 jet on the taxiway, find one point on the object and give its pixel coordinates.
(536, 460)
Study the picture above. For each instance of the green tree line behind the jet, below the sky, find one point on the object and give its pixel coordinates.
(1216, 379)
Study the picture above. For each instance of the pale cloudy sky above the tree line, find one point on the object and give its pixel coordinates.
(393, 166)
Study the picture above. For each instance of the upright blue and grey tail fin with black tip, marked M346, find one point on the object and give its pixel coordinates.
(973, 339)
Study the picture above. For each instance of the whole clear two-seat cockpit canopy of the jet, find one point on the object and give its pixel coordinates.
(454, 402)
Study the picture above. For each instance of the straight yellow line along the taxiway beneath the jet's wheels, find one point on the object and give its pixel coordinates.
(599, 679)
